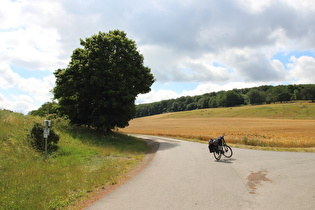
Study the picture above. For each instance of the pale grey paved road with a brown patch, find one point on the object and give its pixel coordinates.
(184, 175)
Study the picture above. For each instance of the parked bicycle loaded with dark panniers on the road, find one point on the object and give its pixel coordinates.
(219, 147)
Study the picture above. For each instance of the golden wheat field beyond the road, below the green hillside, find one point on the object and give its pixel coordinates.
(239, 130)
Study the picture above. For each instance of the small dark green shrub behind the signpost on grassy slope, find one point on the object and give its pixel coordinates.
(37, 138)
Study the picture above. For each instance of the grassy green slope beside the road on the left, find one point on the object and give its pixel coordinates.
(85, 160)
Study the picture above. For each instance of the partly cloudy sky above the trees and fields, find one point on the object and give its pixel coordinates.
(192, 46)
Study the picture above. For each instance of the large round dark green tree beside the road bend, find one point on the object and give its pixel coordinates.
(102, 81)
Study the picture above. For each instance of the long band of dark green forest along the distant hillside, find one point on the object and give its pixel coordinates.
(257, 95)
